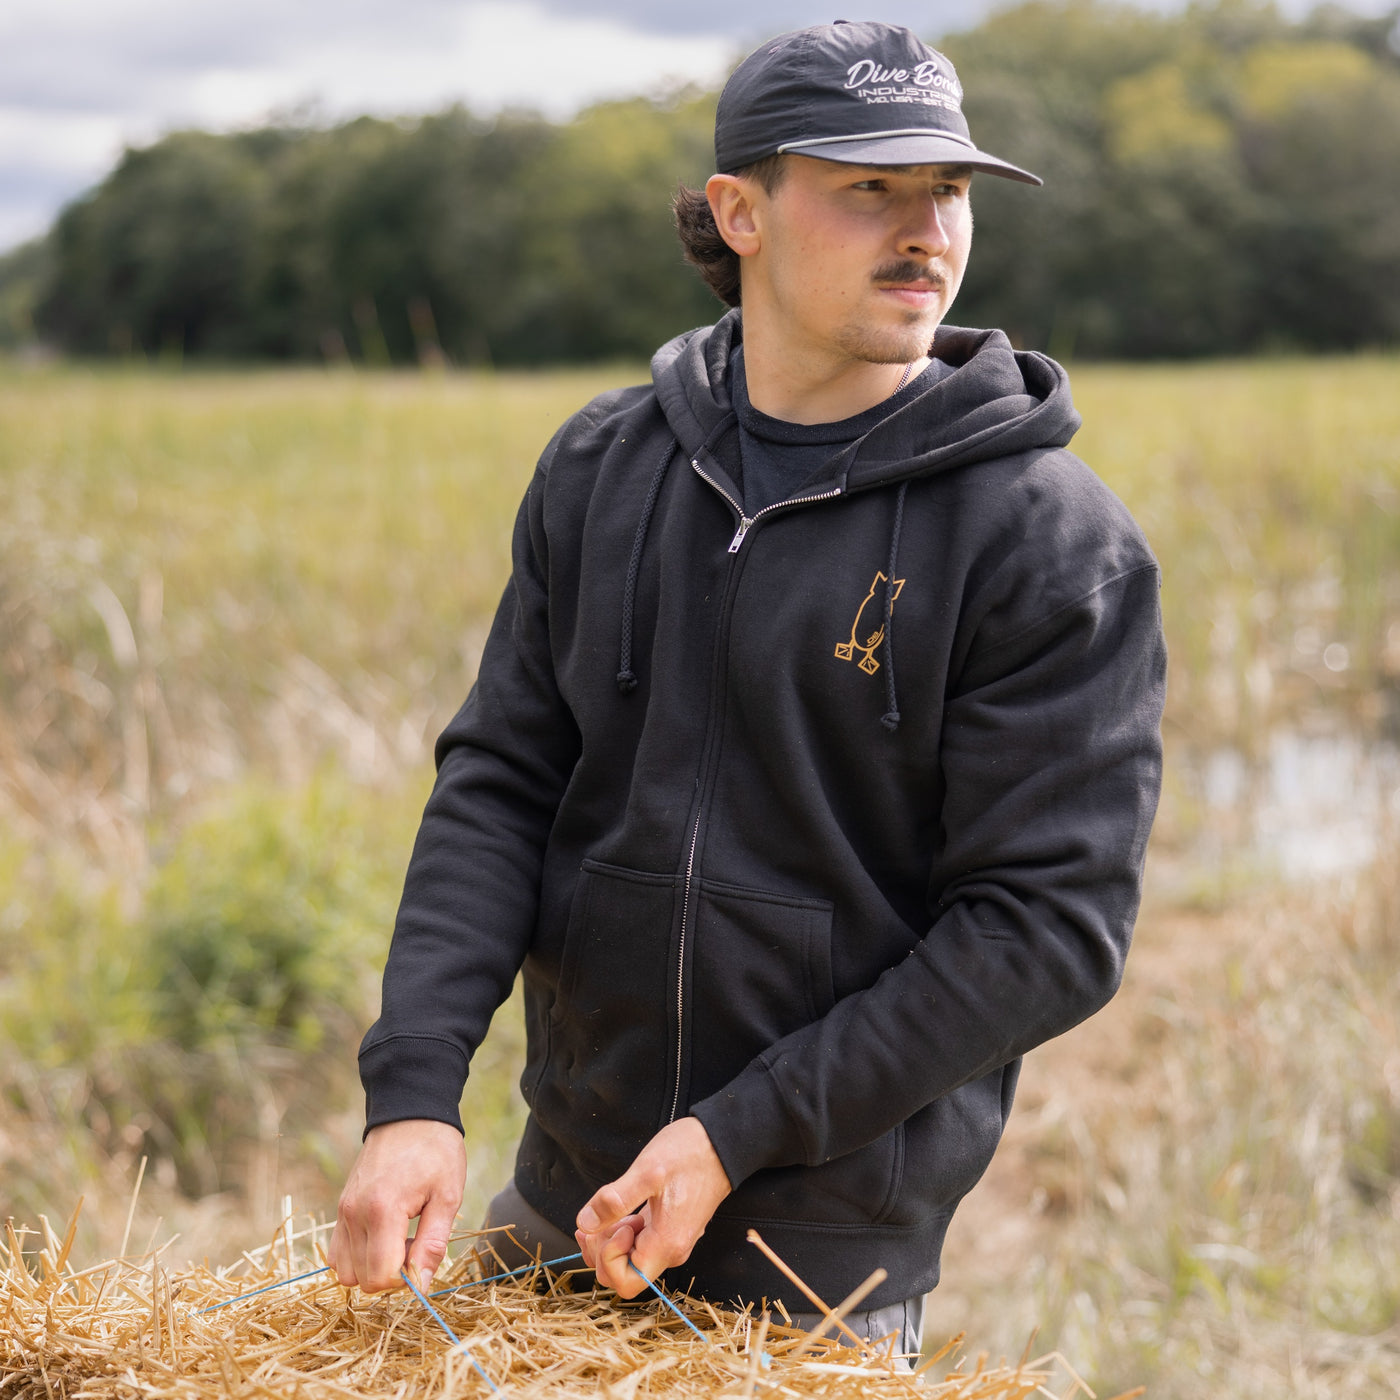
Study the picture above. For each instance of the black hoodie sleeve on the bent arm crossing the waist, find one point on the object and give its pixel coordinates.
(1052, 766)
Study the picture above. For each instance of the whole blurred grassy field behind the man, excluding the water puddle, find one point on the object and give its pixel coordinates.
(237, 608)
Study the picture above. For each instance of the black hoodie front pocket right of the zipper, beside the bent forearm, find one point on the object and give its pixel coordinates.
(759, 969)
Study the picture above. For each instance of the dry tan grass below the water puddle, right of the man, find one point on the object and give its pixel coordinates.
(1200, 1188)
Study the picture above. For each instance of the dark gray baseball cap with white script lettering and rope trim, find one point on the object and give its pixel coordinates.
(867, 94)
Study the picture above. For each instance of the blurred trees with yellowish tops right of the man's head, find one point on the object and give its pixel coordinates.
(1217, 181)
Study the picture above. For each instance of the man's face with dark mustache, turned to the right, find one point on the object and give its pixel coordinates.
(862, 261)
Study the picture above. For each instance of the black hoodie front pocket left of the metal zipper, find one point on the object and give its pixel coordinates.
(603, 1088)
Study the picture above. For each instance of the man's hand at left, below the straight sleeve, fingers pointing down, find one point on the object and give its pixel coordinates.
(416, 1167)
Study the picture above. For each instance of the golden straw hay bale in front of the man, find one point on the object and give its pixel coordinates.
(132, 1329)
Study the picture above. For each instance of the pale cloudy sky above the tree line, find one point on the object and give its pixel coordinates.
(83, 79)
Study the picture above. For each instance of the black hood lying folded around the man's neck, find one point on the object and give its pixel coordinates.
(997, 402)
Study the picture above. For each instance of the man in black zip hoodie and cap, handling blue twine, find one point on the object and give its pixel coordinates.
(813, 758)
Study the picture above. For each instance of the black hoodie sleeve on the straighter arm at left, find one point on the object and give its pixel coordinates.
(472, 887)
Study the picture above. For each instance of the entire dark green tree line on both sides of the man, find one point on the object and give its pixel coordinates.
(1219, 181)
